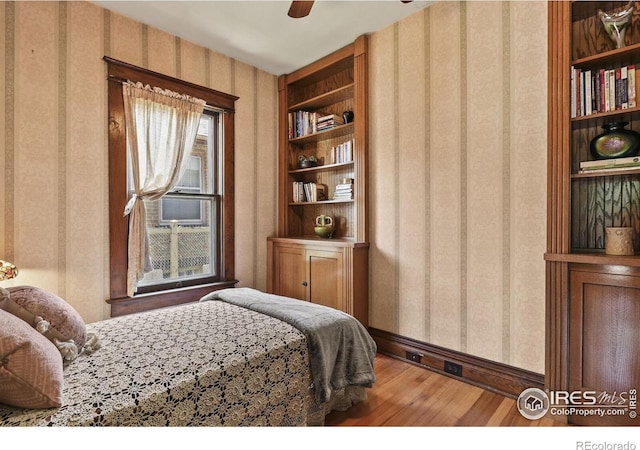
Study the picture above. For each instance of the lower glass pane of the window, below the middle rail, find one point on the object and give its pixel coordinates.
(179, 251)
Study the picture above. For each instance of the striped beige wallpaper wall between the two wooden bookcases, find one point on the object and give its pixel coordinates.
(458, 186)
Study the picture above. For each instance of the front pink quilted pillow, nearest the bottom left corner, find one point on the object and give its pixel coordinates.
(31, 368)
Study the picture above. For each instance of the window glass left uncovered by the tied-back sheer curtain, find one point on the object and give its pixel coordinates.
(182, 226)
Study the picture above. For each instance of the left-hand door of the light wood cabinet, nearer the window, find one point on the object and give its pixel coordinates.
(289, 272)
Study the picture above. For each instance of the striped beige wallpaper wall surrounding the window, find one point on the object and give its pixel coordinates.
(53, 125)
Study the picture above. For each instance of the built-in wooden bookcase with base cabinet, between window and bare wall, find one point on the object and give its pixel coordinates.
(330, 271)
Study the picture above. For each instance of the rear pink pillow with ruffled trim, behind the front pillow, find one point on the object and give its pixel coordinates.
(50, 315)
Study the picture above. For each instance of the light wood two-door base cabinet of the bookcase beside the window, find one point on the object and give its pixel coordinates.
(330, 273)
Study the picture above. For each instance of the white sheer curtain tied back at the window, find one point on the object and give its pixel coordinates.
(161, 130)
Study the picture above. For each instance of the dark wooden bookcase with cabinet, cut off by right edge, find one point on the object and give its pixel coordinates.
(593, 299)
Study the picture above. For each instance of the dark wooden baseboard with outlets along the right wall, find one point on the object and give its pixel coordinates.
(496, 377)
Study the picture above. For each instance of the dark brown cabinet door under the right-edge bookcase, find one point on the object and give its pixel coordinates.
(604, 342)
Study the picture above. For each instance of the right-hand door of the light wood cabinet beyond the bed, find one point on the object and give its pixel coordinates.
(325, 277)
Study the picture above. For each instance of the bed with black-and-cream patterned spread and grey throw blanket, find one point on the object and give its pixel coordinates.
(223, 361)
